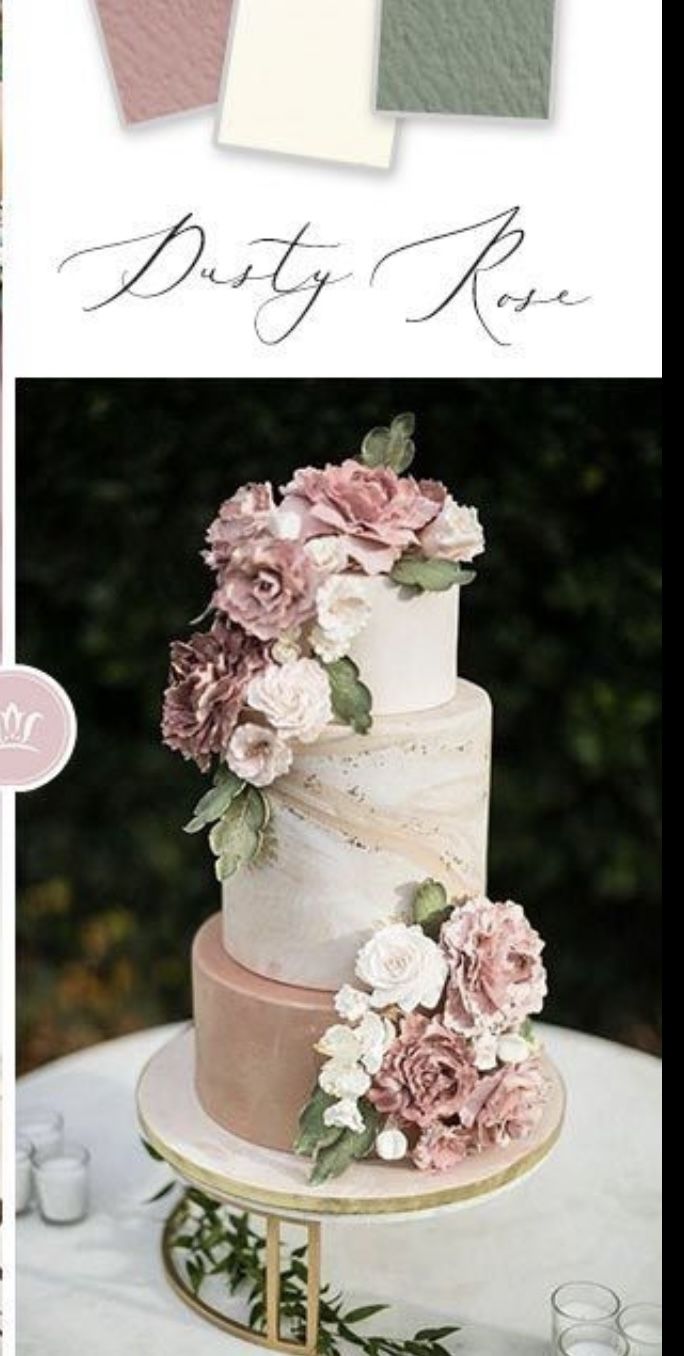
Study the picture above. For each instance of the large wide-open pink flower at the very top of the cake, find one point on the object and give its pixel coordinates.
(377, 512)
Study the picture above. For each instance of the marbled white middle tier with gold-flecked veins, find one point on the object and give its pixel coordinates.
(358, 825)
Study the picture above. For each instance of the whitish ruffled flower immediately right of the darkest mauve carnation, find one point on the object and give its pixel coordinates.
(295, 699)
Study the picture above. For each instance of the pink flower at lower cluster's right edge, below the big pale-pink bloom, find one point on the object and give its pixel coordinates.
(507, 1106)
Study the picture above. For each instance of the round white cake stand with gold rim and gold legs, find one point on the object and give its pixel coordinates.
(275, 1186)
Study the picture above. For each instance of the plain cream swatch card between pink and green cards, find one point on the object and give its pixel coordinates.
(301, 82)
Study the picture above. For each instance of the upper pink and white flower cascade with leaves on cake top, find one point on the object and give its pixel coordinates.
(291, 595)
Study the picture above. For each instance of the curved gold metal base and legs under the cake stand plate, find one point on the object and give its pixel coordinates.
(272, 1338)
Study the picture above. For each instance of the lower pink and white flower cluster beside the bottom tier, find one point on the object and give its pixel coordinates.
(435, 1057)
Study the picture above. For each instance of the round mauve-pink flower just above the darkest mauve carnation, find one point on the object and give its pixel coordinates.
(268, 586)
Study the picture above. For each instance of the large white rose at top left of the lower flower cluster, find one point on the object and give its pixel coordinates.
(402, 966)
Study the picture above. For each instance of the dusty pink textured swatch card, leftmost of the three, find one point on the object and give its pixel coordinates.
(166, 55)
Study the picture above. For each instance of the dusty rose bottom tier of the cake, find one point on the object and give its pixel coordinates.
(256, 1038)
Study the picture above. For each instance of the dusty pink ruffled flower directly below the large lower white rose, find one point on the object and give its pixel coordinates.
(427, 1075)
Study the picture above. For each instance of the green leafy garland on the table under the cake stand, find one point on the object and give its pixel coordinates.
(215, 1241)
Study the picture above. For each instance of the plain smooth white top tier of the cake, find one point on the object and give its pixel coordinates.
(408, 653)
